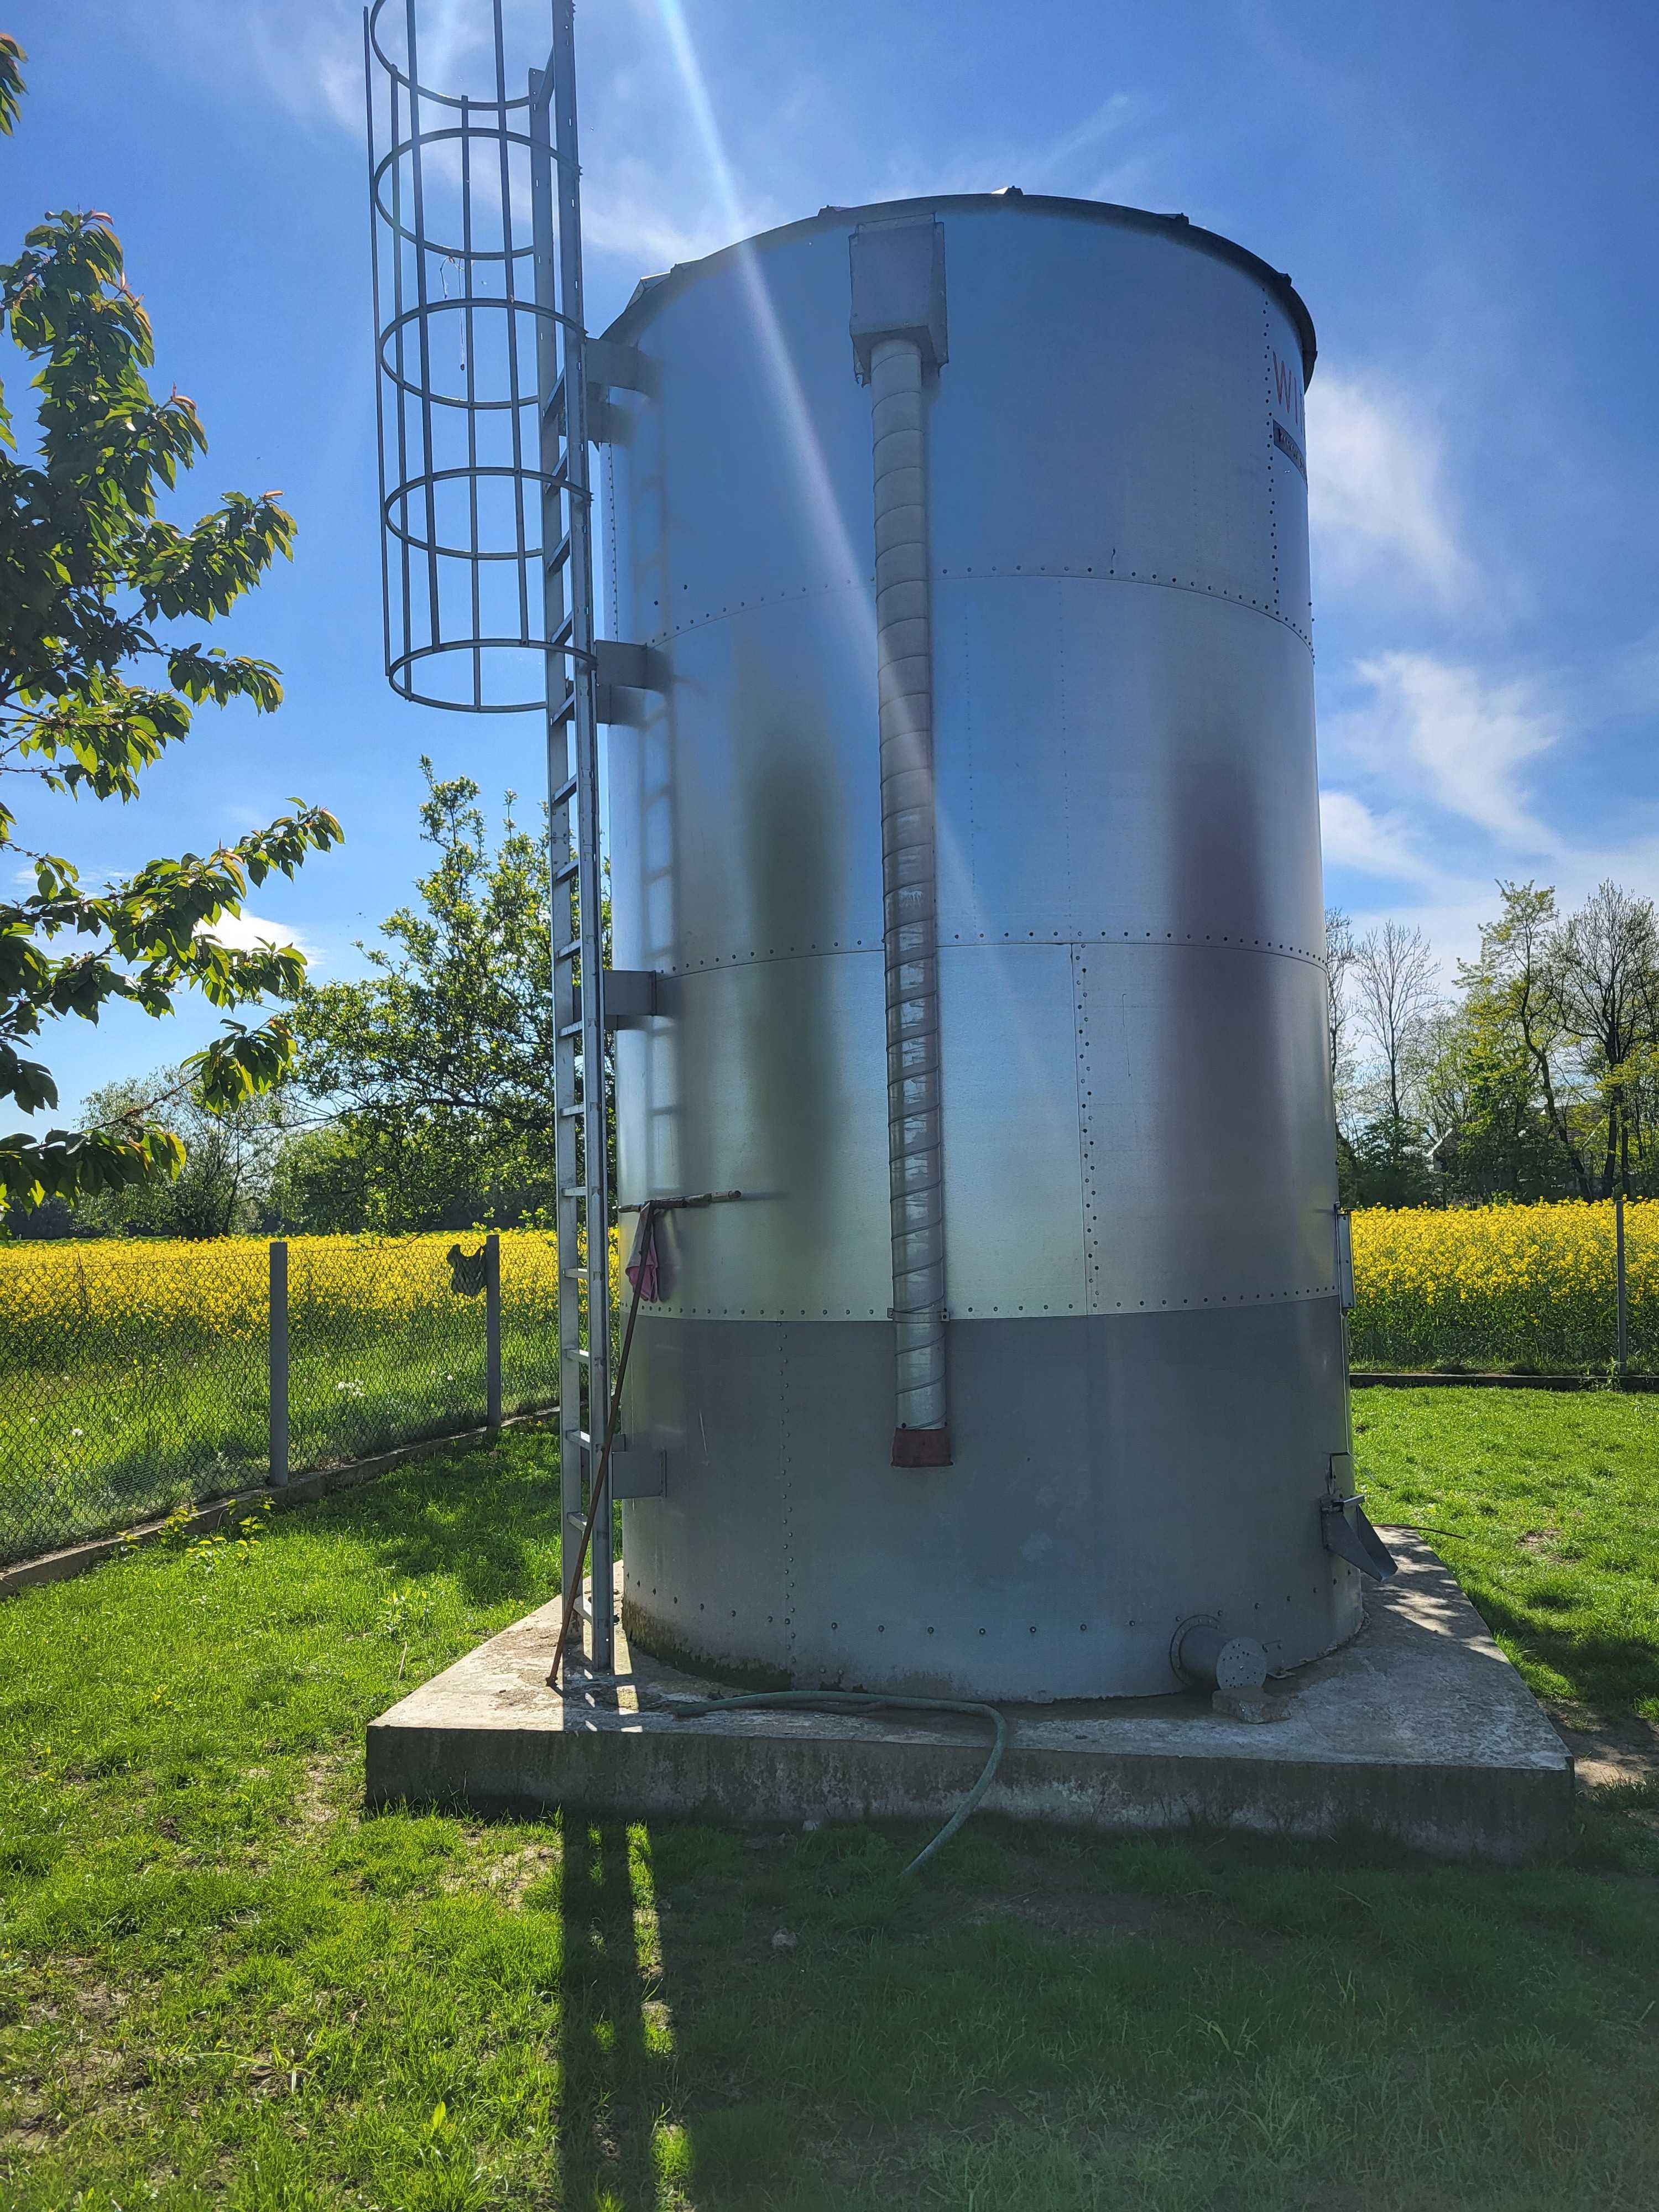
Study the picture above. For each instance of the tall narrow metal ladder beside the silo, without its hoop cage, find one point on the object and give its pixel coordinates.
(574, 828)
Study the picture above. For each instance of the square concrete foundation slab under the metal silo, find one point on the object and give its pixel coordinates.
(1419, 1731)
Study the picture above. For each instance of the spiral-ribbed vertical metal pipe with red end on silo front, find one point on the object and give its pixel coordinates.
(910, 901)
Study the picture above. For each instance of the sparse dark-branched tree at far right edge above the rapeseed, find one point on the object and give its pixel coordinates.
(1605, 979)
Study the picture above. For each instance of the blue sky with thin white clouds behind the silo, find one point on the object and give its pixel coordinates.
(1465, 194)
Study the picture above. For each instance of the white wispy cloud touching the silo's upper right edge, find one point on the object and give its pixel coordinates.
(1377, 497)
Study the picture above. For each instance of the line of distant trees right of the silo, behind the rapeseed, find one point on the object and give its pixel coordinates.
(1536, 1076)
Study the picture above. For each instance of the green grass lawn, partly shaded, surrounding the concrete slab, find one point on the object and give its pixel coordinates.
(222, 1985)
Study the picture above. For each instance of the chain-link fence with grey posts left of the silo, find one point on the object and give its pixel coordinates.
(140, 1375)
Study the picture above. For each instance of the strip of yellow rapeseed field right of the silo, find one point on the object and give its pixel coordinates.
(1503, 1286)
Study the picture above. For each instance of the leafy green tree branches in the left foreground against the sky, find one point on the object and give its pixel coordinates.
(94, 691)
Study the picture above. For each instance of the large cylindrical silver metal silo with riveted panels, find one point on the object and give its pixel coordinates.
(966, 806)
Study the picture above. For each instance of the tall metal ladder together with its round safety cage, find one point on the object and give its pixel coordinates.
(488, 561)
